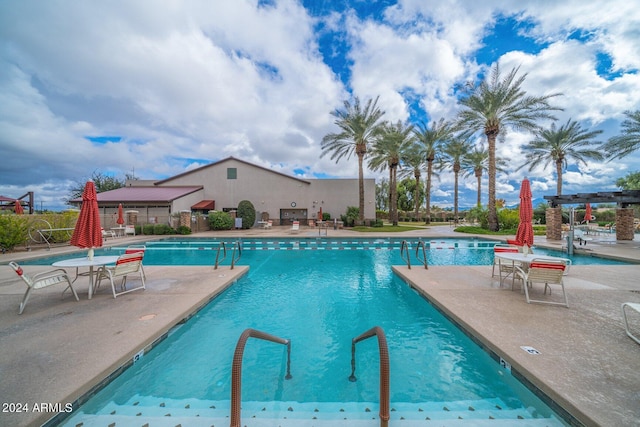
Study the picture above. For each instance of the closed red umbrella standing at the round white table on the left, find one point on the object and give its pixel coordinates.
(88, 233)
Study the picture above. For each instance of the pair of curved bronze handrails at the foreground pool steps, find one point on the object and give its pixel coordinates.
(236, 369)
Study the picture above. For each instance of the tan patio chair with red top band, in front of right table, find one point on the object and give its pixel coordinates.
(547, 271)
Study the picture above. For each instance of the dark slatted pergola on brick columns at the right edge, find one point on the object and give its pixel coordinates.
(624, 214)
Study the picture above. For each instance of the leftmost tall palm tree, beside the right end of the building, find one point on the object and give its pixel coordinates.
(358, 128)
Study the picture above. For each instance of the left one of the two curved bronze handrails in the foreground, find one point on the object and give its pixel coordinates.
(236, 368)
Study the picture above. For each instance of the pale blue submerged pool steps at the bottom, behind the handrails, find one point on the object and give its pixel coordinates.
(158, 412)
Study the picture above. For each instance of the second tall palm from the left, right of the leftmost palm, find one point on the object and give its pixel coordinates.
(387, 151)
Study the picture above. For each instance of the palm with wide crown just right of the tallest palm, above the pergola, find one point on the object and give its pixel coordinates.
(557, 145)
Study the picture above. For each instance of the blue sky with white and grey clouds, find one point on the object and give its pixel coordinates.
(123, 86)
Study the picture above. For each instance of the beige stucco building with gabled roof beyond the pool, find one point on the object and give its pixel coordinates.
(223, 184)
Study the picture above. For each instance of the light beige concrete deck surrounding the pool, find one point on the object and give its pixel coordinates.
(59, 349)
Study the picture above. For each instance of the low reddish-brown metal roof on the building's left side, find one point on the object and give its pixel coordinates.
(145, 194)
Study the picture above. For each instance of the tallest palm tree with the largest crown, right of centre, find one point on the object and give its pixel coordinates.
(494, 106)
